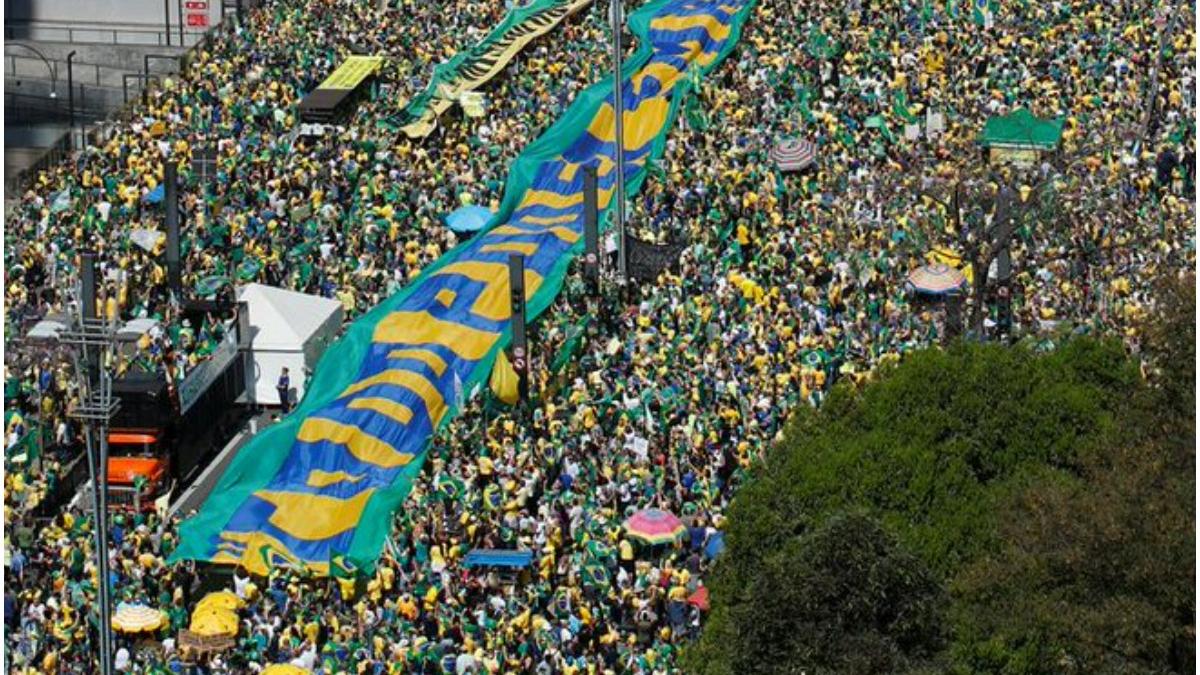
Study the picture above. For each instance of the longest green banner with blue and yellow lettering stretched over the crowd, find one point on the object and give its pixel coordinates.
(325, 482)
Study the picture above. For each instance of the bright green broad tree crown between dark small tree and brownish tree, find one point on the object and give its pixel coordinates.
(934, 445)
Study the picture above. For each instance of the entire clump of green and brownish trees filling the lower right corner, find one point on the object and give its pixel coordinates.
(1036, 507)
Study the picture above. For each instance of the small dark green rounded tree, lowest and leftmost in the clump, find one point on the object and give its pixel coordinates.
(844, 598)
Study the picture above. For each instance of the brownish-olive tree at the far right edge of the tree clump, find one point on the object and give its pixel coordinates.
(1099, 574)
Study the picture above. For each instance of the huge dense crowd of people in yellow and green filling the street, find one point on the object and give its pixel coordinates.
(659, 396)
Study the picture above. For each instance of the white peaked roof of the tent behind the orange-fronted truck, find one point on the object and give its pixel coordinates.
(285, 320)
